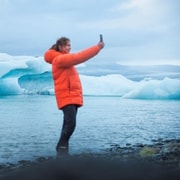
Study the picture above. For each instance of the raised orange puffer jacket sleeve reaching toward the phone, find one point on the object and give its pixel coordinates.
(68, 60)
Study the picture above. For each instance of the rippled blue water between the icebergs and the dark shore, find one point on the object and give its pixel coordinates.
(30, 124)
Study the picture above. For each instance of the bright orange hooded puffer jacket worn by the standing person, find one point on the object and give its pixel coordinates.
(67, 84)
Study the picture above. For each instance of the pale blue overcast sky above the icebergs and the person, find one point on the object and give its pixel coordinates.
(135, 31)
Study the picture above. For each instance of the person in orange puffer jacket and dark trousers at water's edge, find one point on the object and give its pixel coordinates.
(67, 84)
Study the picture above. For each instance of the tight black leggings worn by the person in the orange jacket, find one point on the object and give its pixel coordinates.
(69, 124)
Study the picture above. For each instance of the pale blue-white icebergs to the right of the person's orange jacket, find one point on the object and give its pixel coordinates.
(117, 85)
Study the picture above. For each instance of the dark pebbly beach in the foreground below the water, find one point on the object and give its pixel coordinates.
(159, 160)
